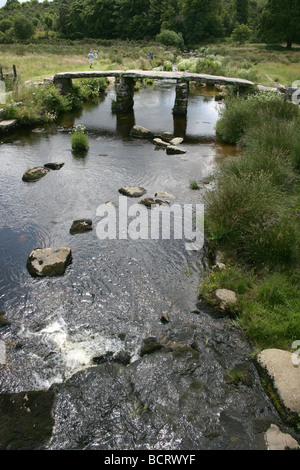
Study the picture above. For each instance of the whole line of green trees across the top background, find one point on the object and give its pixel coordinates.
(183, 23)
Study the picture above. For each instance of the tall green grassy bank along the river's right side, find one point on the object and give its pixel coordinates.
(253, 218)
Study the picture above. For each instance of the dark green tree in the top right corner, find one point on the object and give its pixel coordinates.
(280, 22)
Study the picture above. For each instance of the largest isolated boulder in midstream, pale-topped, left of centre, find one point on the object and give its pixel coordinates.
(48, 261)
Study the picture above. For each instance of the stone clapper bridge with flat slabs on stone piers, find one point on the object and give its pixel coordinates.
(124, 84)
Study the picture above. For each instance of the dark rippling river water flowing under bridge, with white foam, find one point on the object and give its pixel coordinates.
(81, 334)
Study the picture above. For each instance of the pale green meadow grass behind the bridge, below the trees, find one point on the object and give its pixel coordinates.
(257, 62)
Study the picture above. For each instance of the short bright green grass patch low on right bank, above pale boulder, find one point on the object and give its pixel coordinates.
(268, 305)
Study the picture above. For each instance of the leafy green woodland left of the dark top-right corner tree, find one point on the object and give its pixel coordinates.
(195, 20)
